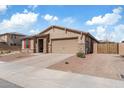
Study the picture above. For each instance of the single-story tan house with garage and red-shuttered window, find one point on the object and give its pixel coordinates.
(56, 39)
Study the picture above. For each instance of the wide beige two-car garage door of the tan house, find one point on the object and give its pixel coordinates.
(65, 46)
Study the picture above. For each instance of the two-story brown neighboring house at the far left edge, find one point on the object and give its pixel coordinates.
(12, 38)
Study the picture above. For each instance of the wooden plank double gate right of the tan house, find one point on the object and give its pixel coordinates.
(107, 48)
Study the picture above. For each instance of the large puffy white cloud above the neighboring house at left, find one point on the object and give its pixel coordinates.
(18, 22)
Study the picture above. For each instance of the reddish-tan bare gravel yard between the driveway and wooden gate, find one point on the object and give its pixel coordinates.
(101, 65)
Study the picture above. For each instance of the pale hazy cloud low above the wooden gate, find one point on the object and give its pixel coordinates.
(117, 33)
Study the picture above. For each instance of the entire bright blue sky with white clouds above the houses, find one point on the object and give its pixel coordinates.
(104, 22)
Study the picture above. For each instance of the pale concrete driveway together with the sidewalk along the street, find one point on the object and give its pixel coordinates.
(32, 72)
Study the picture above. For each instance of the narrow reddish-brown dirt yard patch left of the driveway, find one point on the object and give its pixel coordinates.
(13, 57)
